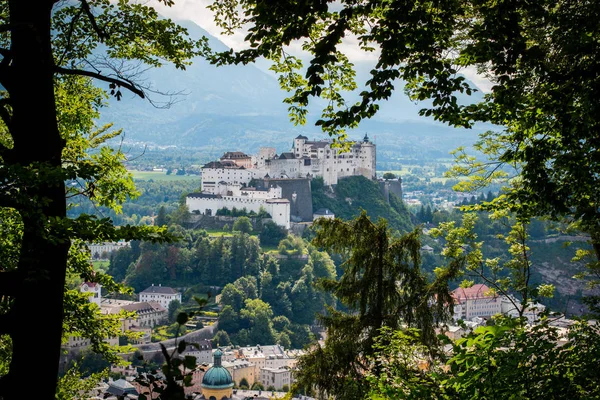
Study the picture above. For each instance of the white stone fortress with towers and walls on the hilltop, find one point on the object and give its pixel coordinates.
(279, 183)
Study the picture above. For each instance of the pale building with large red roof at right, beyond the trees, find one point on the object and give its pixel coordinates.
(475, 301)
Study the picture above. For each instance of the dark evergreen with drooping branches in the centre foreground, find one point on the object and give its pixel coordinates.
(382, 286)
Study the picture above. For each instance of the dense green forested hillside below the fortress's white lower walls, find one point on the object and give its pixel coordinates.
(267, 297)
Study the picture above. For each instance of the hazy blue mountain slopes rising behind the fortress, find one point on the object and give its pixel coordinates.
(241, 108)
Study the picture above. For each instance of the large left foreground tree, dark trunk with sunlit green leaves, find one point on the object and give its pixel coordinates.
(46, 47)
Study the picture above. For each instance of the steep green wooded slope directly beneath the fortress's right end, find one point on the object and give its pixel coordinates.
(354, 193)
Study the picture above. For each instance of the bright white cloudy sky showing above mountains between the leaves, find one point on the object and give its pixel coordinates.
(196, 11)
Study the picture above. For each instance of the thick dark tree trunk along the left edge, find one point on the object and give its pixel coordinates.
(42, 264)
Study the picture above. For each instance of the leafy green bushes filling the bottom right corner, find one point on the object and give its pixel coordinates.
(502, 361)
